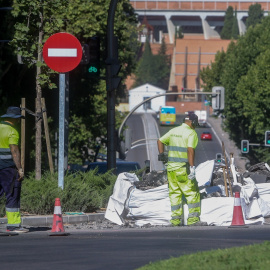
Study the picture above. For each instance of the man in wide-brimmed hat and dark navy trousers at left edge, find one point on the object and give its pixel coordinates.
(11, 172)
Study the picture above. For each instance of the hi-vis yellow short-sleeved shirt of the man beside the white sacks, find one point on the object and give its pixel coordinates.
(178, 140)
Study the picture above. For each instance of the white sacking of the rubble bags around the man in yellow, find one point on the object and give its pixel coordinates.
(153, 207)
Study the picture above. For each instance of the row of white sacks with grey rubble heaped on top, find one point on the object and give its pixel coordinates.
(147, 201)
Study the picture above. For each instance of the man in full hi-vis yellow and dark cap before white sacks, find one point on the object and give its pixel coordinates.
(181, 142)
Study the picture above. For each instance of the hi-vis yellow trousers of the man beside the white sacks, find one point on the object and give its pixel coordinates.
(180, 185)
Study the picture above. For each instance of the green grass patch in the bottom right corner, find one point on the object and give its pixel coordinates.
(238, 258)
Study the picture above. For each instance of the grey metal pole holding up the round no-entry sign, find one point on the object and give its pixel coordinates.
(61, 141)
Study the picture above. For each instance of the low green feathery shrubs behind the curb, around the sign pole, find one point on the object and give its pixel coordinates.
(83, 192)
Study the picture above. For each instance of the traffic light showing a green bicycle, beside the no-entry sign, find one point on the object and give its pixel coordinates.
(93, 67)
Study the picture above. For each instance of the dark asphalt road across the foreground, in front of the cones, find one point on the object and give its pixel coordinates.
(118, 249)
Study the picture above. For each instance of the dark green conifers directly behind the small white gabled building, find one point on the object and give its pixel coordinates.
(153, 69)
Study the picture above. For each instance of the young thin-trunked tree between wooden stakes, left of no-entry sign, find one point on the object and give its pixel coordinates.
(36, 18)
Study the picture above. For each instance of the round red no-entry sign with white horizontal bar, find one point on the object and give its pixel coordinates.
(62, 52)
